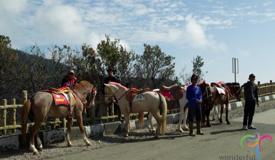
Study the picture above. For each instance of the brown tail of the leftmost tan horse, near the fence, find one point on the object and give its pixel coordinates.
(24, 121)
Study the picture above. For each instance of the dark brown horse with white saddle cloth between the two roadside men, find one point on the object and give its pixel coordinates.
(220, 94)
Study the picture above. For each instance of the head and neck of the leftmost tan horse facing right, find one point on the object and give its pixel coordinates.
(86, 92)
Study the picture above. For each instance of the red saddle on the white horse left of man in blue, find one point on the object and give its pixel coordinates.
(172, 92)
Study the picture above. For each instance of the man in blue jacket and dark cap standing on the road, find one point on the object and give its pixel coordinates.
(194, 97)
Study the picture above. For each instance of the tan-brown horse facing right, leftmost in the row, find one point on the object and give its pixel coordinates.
(42, 105)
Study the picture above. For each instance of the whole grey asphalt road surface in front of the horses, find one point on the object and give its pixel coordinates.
(220, 142)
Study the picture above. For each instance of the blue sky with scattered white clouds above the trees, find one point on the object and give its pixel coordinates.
(217, 30)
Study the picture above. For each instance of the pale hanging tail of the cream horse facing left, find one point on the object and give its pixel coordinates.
(163, 111)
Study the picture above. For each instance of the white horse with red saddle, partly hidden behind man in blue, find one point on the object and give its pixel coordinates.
(177, 93)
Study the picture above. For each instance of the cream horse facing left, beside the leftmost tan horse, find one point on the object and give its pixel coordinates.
(147, 101)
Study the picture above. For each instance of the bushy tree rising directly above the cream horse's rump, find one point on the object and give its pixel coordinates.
(154, 64)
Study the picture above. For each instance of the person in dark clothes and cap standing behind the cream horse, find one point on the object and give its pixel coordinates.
(111, 78)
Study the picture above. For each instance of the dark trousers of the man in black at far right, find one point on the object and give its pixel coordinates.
(249, 109)
